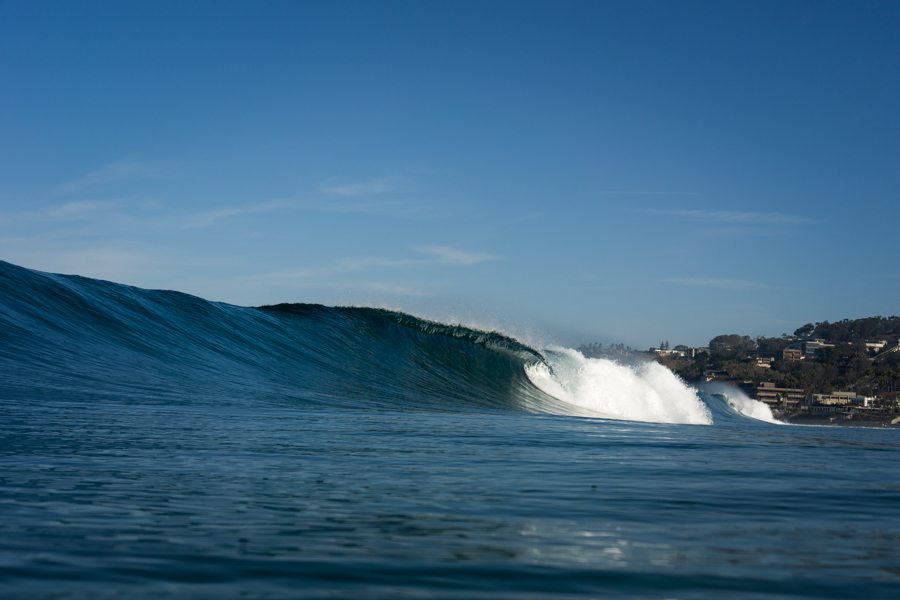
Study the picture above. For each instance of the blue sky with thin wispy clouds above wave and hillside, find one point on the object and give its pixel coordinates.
(570, 172)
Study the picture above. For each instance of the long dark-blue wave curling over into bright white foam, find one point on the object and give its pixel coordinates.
(80, 338)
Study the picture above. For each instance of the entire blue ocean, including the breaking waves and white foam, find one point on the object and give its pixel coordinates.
(156, 445)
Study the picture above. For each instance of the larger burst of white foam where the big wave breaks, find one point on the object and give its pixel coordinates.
(647, 392)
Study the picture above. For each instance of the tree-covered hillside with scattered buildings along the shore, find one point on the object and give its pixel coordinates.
(842, 374)
